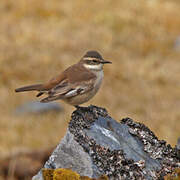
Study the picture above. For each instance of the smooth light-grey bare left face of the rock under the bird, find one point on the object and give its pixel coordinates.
(69, 154)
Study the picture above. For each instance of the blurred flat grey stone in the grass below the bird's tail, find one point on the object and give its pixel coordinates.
(36, 107)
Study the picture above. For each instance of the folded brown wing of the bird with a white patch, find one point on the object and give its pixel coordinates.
(81, 81)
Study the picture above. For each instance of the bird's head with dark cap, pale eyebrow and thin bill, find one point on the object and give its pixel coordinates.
(93, 60)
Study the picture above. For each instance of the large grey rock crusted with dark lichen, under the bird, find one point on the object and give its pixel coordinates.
(95, 144)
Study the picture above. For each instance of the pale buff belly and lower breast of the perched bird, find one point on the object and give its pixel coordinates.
(82, 98)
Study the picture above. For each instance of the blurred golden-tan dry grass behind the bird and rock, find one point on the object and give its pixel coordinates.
(39, 39)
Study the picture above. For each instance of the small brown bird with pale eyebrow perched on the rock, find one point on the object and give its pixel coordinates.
(76, 85)
